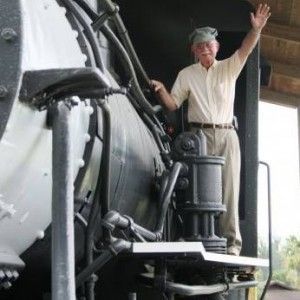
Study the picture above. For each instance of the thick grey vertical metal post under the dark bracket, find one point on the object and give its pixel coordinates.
(63, 257)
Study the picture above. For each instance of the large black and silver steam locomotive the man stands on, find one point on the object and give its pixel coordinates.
(97, 201)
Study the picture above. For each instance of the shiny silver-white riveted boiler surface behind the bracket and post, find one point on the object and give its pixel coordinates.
(26, 147)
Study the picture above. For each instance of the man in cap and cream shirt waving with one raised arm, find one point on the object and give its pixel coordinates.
(209, 85)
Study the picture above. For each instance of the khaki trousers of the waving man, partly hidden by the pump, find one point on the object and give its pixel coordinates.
(225, 142)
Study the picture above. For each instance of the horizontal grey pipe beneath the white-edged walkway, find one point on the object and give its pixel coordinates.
(187, 290)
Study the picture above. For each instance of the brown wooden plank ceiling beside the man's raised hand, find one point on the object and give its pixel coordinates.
(280, 45)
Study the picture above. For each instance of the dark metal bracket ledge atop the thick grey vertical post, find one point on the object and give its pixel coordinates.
(42, 88)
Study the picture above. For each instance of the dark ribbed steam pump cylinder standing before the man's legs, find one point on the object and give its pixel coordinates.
(200, 191)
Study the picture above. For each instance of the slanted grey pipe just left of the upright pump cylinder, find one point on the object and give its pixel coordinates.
(167, 196)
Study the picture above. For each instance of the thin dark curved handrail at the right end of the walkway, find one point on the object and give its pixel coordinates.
(270, 230)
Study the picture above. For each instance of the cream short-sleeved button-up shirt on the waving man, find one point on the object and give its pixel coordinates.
(210, 92)
